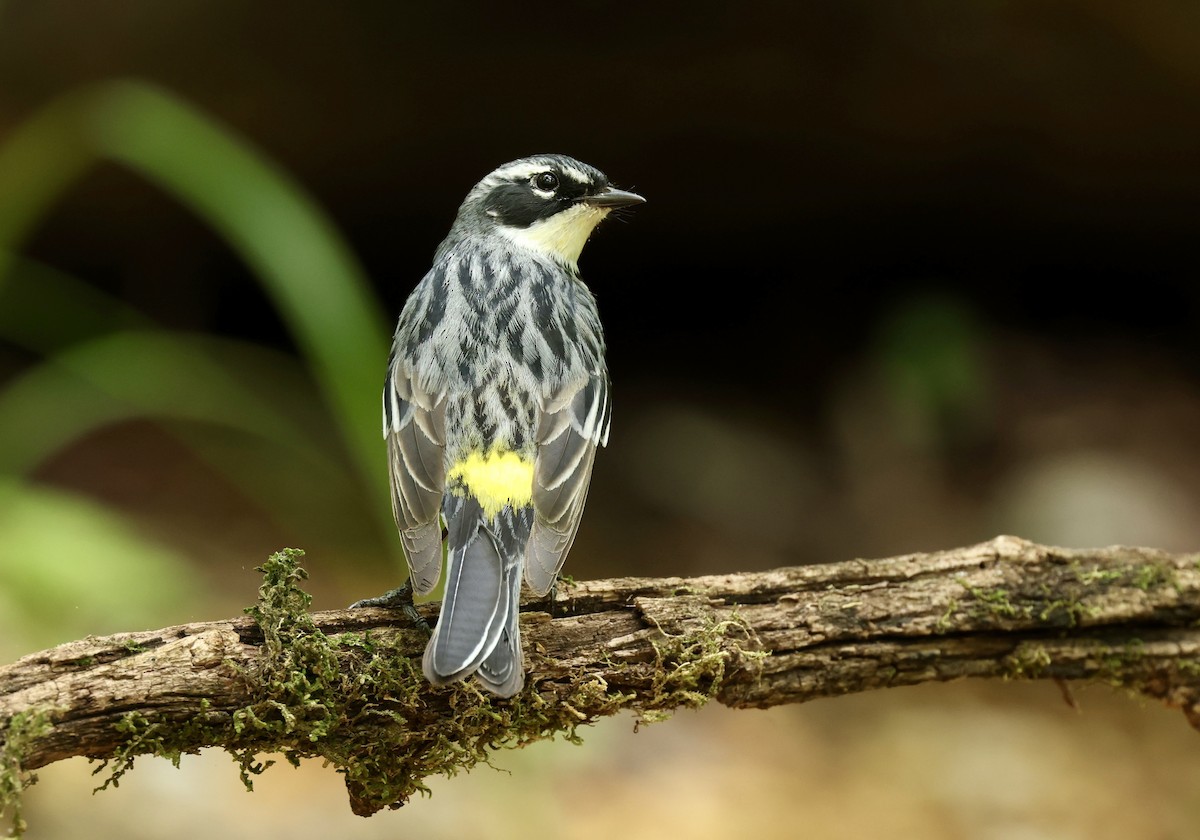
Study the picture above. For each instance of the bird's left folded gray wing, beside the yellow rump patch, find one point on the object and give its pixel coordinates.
(415, 428)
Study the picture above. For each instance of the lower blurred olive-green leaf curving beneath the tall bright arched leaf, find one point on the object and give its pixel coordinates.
(176, 379)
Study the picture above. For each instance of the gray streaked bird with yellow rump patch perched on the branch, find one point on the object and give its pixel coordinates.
(496, 400)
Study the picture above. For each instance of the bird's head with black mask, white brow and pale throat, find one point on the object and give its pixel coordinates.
(548, 203)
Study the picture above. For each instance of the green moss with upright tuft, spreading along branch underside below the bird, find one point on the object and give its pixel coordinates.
(365, 709)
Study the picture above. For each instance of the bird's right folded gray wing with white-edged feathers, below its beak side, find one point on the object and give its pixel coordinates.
(572, 427)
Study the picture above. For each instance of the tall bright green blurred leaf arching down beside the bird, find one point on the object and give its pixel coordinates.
(269, 220)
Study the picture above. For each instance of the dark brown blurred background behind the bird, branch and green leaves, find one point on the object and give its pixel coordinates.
(909, 275)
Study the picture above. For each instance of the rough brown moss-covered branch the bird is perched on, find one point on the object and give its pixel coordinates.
(346, 686)
